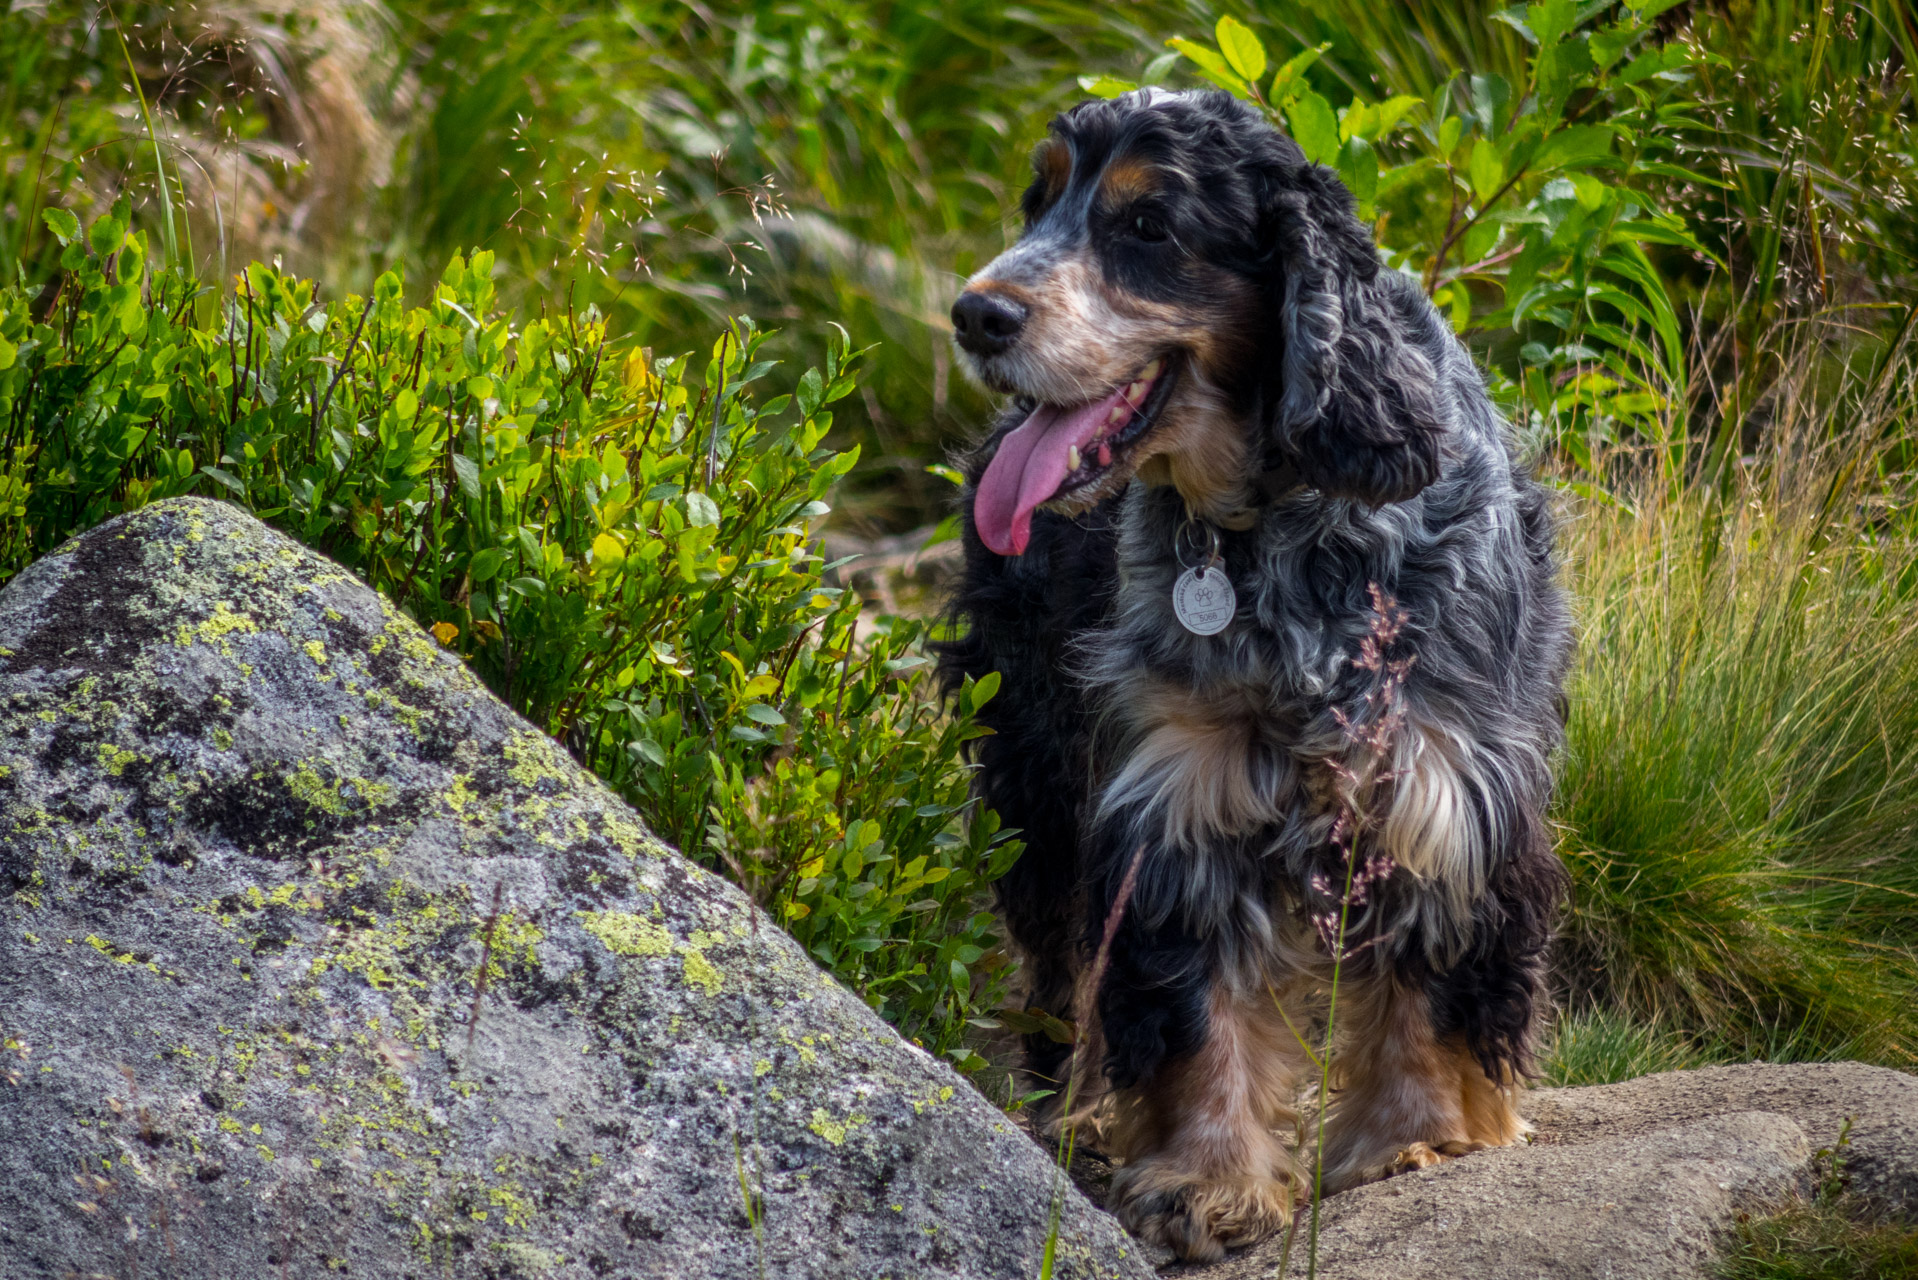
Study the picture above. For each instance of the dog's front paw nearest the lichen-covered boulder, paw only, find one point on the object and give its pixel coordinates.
(1198, 1216)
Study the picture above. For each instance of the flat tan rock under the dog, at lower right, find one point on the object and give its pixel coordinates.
(1635, 1181)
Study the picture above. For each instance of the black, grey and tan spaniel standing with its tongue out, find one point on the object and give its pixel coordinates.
(1282, 650)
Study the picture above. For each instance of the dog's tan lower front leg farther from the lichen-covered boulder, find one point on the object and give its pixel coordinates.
(1407, 1099)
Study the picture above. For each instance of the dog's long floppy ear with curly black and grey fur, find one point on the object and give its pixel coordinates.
(1357, 398)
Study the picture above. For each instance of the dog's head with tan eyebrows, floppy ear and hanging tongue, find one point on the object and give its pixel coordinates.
(1192, 302)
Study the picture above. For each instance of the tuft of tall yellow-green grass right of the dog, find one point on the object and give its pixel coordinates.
(1741, 784)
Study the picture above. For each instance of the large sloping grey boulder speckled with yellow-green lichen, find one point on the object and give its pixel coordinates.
(256, 832)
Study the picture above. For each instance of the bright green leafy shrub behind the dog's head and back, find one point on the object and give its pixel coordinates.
(1524, 204)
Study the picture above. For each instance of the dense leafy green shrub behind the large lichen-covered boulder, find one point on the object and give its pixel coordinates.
(617, 544)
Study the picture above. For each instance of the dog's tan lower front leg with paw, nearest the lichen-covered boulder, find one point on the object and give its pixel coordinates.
(1205, 1168)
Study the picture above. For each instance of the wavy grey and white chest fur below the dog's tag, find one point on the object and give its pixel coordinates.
(1230, 755)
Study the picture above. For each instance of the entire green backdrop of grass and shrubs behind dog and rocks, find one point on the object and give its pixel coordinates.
(1681, 237)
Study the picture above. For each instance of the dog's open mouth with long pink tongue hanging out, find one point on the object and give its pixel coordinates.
(1065, 448)
